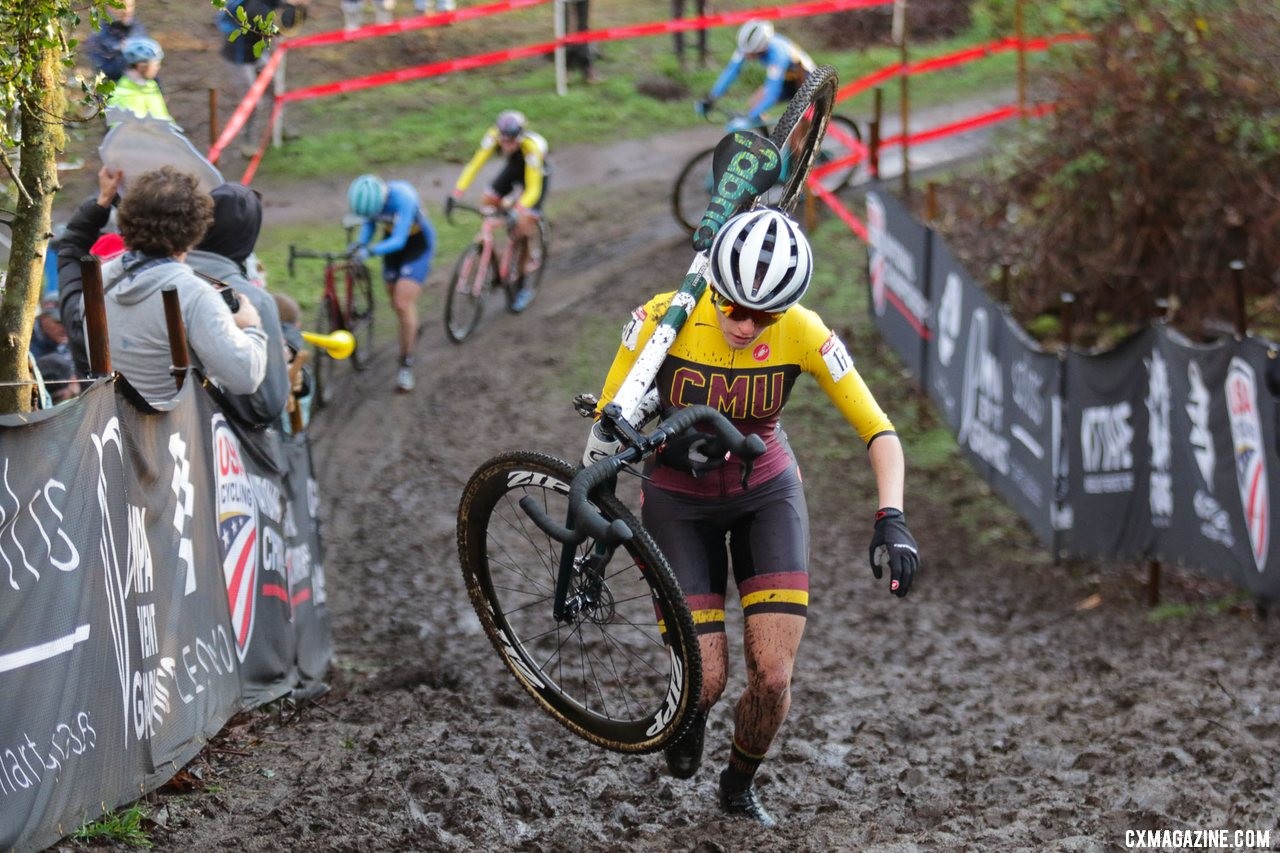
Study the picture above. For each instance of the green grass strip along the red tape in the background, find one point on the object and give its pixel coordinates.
(442, 118)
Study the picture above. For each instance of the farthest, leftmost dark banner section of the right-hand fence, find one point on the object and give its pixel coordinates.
(898, 250)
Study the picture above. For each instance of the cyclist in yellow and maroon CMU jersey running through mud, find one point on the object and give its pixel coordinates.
(743, 348)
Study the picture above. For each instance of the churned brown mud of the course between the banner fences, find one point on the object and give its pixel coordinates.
(1009, 704)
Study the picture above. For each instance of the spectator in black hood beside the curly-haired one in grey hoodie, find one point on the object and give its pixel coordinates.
(222, 256)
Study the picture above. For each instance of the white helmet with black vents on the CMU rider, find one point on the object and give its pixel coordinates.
(762, 261)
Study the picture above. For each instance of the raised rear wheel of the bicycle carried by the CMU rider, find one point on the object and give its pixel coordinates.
(798, 135)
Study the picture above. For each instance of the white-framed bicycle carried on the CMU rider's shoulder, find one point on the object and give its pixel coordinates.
(587, 614)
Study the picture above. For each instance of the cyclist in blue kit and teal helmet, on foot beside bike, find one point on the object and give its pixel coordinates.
(406, 249)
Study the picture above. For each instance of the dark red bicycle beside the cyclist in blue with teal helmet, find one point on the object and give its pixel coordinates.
(346, 304)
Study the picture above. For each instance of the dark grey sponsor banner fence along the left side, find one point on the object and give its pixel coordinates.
(130, 545)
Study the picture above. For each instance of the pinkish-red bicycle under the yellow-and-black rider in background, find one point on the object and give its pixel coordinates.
(490, 264)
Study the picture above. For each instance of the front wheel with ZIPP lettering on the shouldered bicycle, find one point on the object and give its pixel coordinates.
(624, 670)
